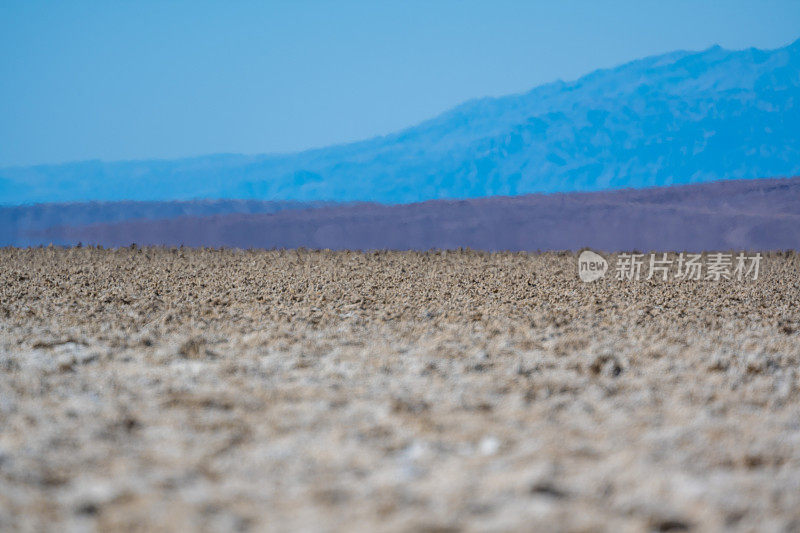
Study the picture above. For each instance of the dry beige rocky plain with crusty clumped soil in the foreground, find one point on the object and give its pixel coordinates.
(177, 389)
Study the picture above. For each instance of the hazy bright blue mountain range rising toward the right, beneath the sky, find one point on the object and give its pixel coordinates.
(678, 118)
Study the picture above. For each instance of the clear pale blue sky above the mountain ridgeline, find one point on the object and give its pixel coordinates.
(130, 80)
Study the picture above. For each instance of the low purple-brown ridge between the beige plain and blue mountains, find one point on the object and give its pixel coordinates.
(726, 215)
